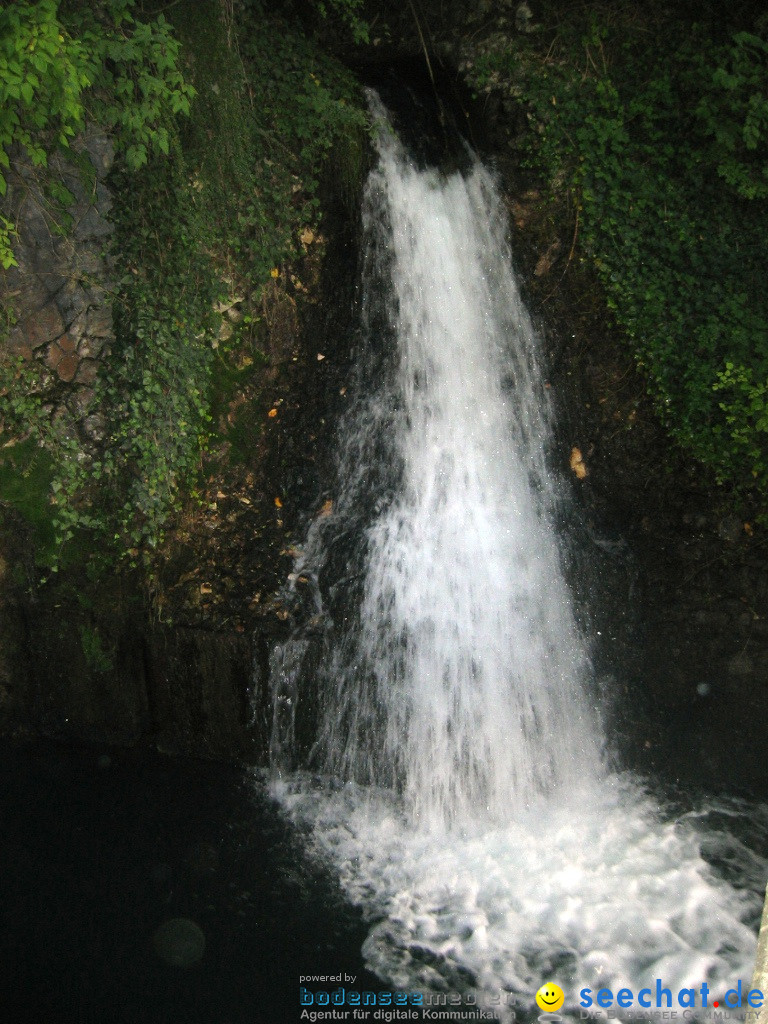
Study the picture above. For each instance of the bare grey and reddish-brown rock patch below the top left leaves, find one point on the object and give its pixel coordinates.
(61, 293)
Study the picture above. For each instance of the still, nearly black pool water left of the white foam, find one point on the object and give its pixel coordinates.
(96, 857)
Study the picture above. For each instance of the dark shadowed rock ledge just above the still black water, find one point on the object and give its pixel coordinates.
(80, 672)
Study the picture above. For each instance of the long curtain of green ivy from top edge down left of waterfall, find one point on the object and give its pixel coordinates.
(239, 186)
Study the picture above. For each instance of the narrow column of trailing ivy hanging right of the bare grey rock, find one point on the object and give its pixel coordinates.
(153, 395)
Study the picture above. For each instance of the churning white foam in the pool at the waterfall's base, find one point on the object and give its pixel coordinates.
(596, 892)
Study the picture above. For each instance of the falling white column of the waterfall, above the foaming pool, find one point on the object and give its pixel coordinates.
(463, 680)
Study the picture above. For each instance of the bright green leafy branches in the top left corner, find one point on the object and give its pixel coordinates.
(62, 63)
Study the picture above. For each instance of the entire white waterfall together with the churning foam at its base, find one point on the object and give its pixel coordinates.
(460, 789)
